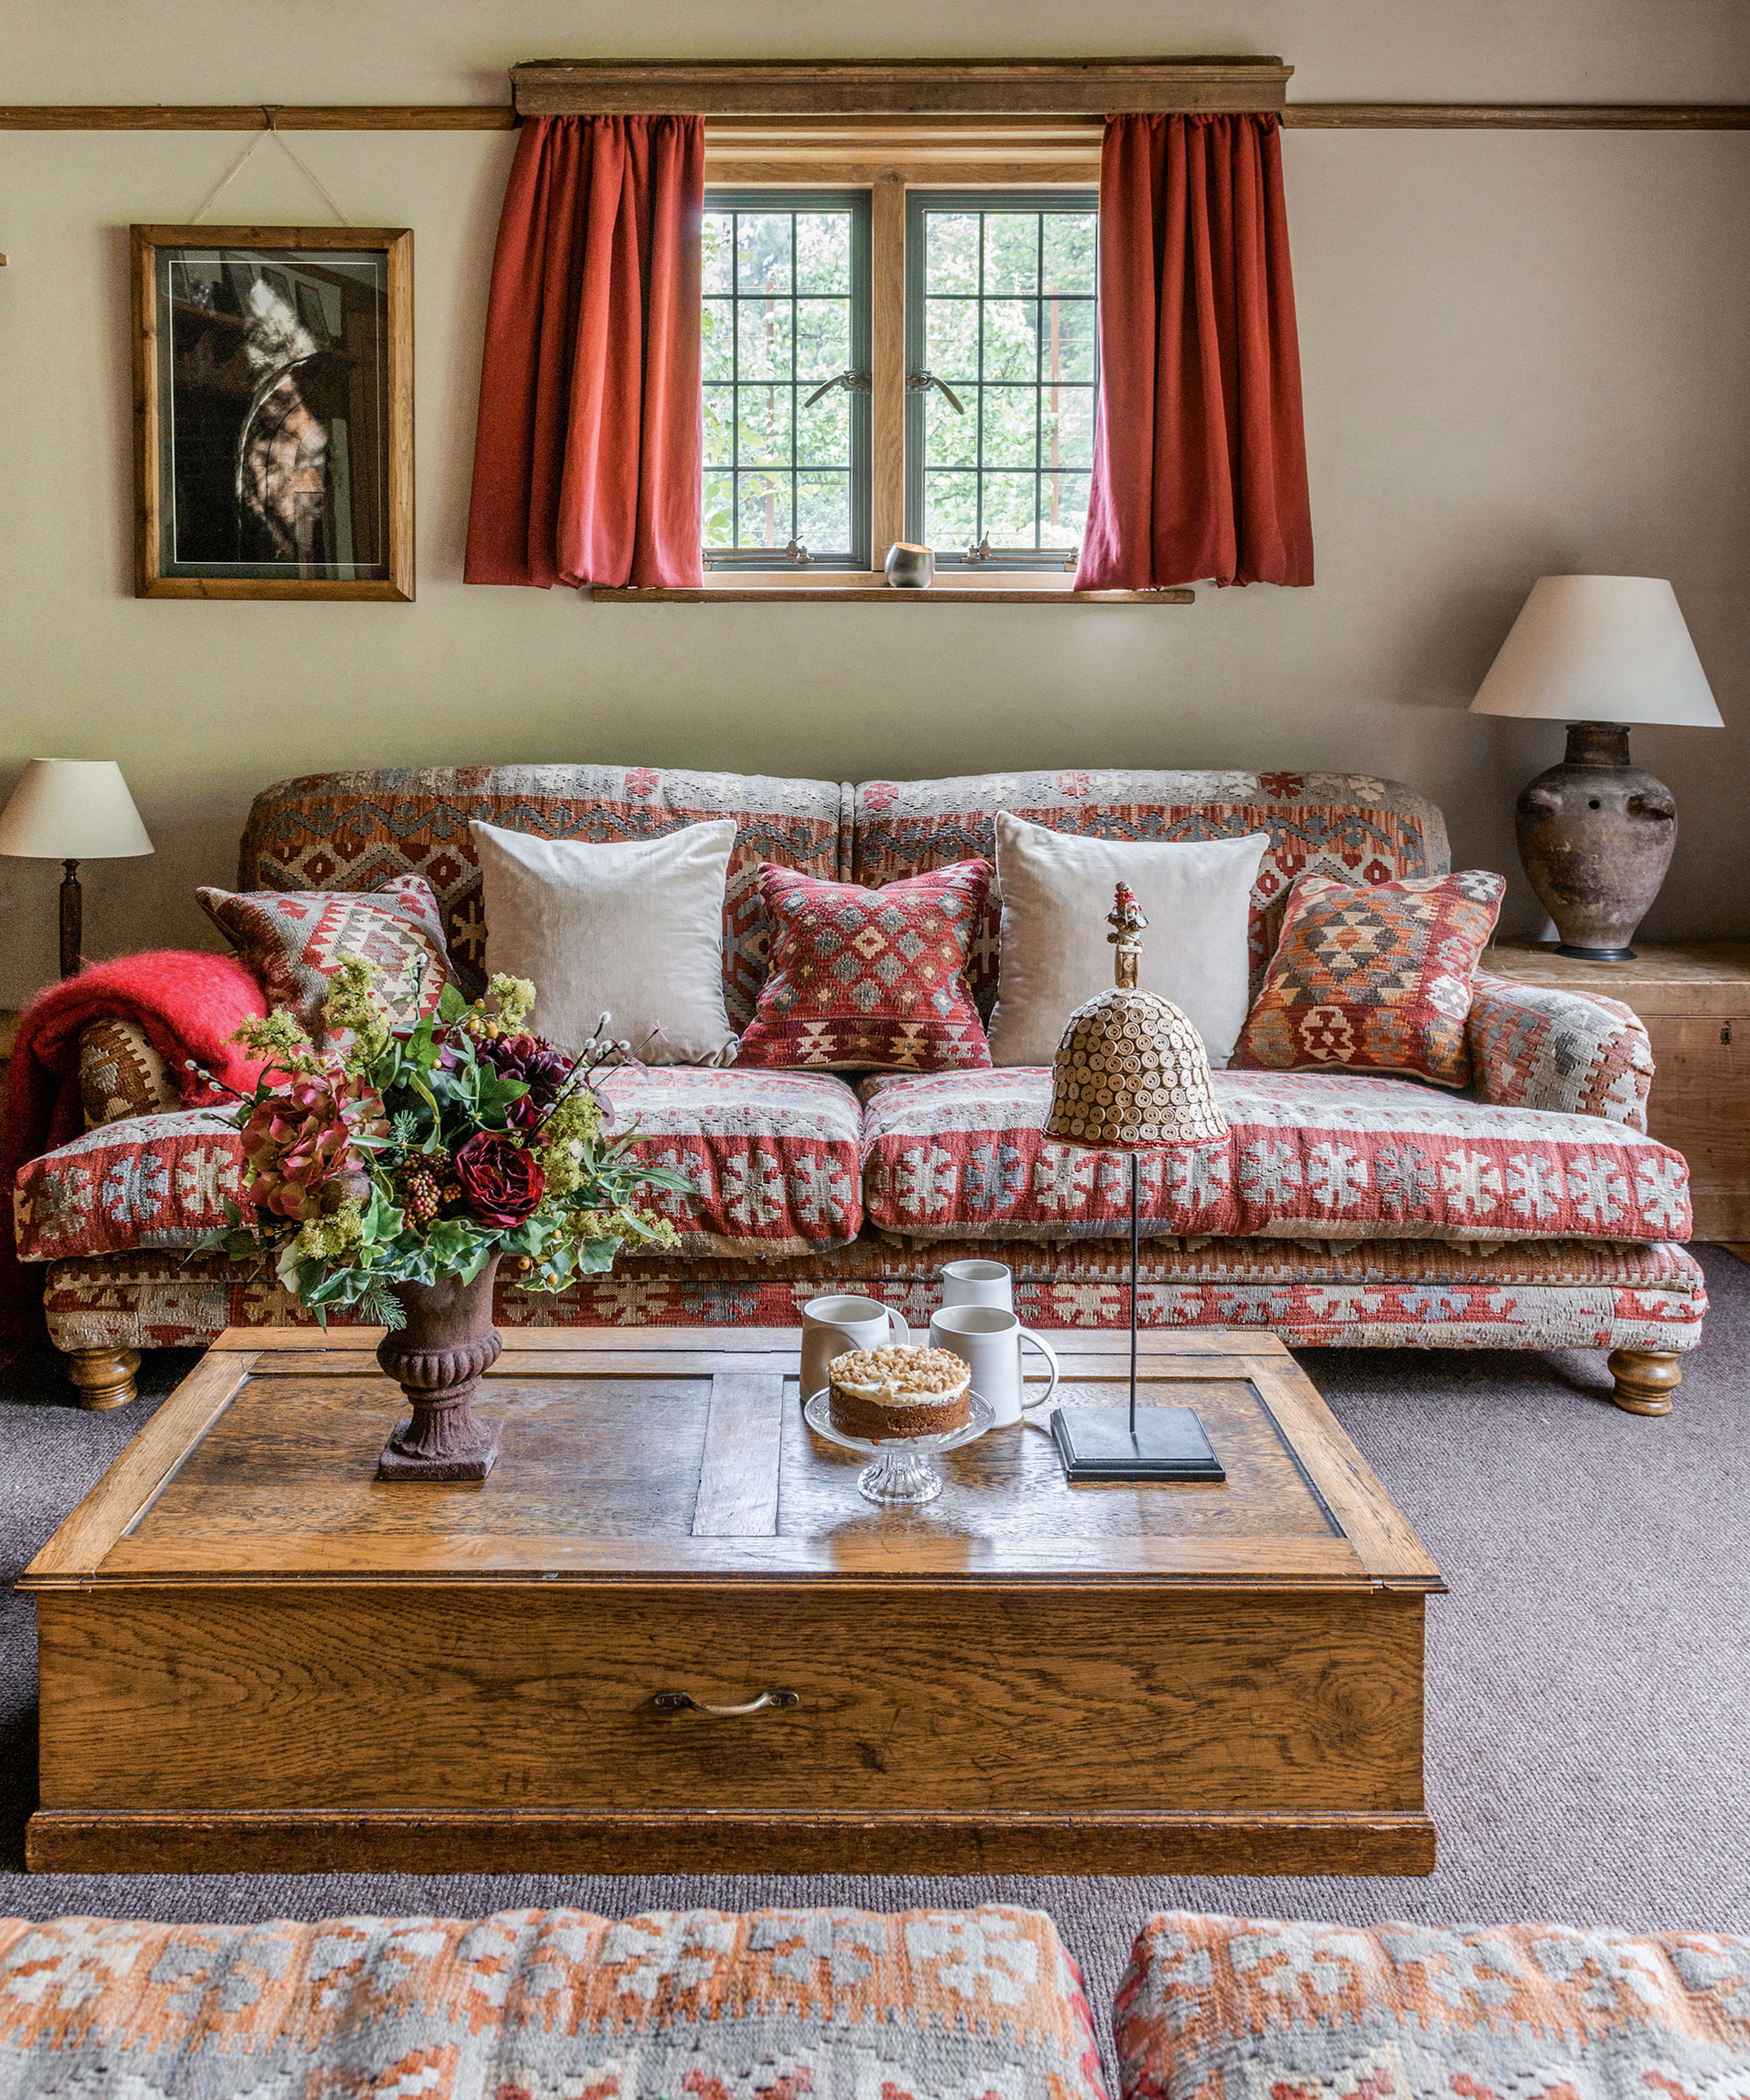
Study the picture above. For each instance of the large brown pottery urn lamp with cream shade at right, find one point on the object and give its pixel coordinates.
(1596, 833)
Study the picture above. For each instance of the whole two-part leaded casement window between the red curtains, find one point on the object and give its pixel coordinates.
(995, 318)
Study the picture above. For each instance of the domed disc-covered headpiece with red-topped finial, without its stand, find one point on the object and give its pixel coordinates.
(1131, 1072)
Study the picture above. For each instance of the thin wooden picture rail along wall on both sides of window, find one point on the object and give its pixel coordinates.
(501, 117)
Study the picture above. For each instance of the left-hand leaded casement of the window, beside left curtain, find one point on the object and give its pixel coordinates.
(787, 379)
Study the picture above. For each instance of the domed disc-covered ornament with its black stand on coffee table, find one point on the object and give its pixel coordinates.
(1133, 1076)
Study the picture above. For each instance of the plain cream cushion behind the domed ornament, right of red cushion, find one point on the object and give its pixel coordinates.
(1056, 896)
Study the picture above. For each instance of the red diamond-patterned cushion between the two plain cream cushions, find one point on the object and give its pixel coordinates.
(871, 980)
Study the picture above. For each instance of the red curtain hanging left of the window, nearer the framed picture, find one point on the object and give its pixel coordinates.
(587, 453)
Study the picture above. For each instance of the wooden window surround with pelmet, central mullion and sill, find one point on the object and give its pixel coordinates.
(894, 129)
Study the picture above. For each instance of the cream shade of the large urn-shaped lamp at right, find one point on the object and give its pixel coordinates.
(1600, 650)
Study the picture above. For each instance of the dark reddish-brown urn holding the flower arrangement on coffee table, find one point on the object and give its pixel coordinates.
(438, 1360)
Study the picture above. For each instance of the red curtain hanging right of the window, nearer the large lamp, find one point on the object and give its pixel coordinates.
(1201, 459)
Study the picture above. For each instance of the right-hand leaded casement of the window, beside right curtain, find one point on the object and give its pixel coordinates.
(1001, 308)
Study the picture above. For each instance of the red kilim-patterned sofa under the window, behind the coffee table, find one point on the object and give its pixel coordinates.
(1348, 1211)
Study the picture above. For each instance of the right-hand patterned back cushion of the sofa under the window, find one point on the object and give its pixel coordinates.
(1333, 824)
